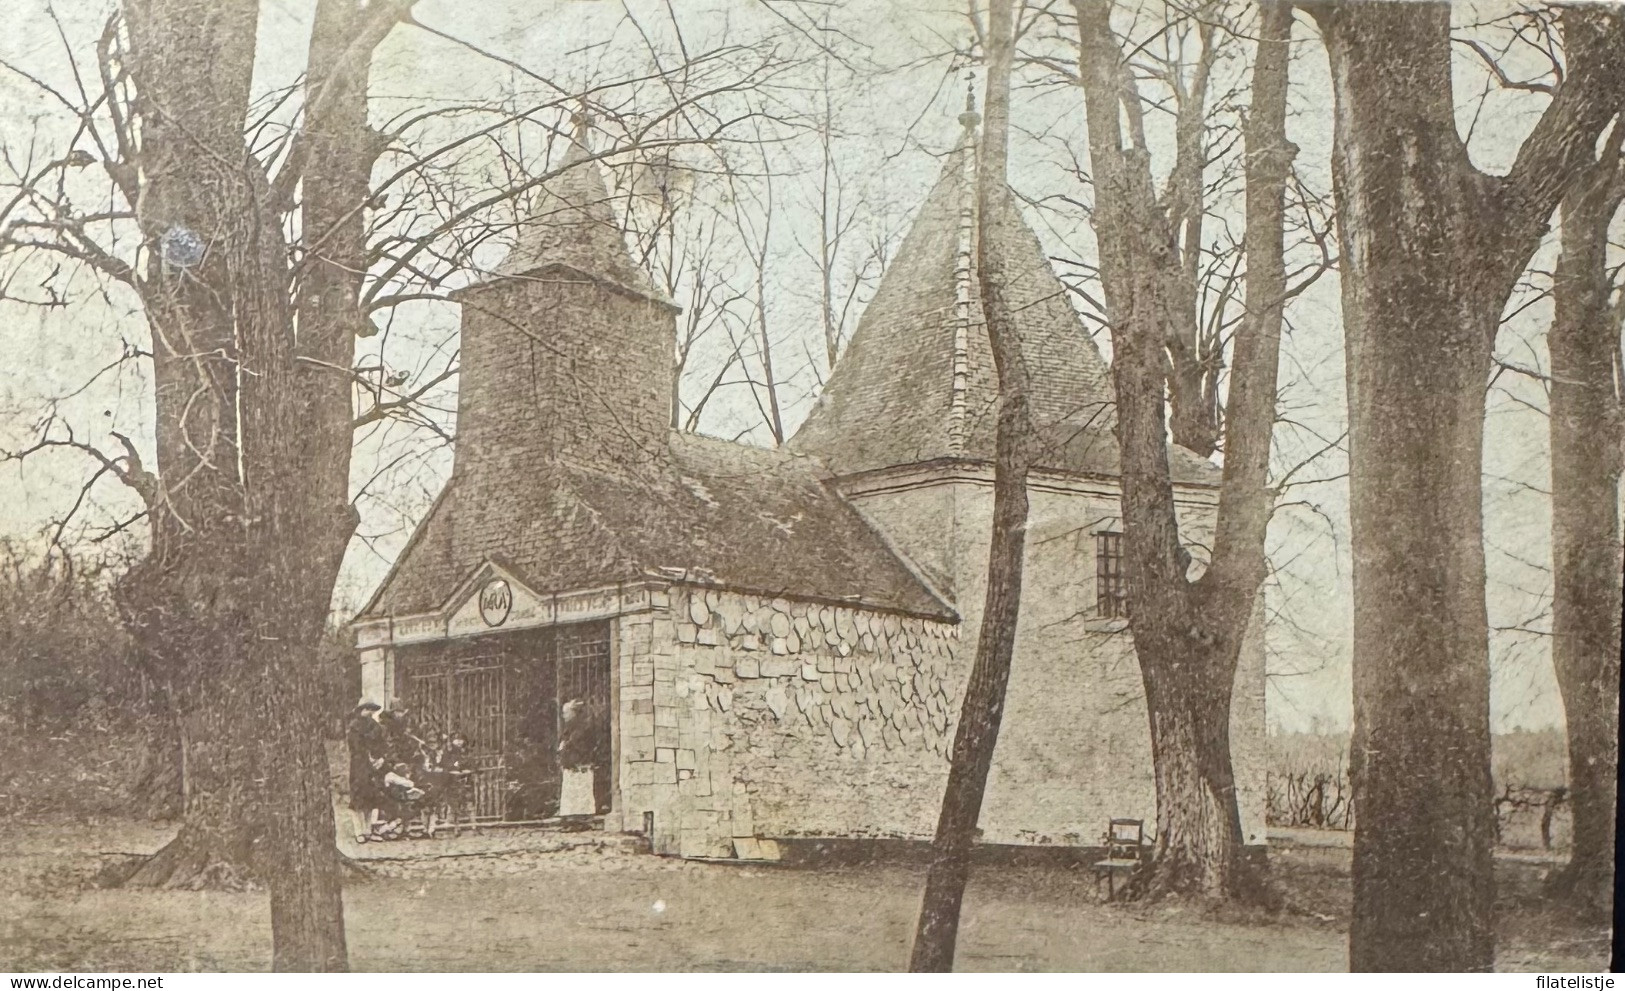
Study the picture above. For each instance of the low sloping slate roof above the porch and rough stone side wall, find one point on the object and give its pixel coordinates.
(750, 519)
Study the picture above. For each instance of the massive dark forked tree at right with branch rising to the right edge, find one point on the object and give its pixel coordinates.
(1431, 253)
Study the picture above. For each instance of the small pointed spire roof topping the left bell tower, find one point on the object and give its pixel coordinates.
(574, 227)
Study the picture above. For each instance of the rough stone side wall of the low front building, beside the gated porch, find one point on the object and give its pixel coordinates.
(748, 719)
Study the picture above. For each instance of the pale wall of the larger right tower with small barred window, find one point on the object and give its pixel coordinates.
(1075, 746)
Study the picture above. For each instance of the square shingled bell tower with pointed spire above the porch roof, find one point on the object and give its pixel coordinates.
(568, 347)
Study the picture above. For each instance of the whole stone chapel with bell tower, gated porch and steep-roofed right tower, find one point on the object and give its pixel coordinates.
(771, 644)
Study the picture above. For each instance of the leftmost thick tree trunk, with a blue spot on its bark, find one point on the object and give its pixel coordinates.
(193, 92)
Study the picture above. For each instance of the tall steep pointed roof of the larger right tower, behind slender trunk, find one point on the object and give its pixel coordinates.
(917, 381)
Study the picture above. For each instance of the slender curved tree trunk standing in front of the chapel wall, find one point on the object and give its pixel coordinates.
(984, 706)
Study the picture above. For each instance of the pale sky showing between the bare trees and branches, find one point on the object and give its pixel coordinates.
(896, 116)
